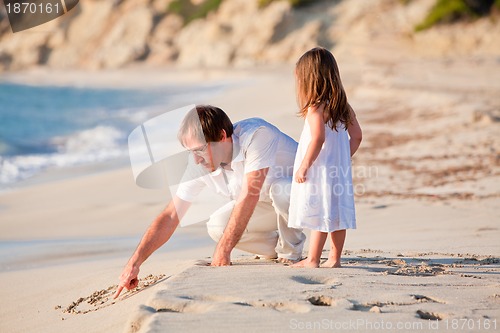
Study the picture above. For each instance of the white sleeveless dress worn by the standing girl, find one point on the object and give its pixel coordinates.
(325, 201)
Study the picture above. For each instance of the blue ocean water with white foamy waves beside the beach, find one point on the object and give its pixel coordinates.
(45, 127)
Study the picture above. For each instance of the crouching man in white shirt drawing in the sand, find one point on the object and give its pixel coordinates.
(250, 162)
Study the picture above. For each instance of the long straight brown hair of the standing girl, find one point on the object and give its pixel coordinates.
(318, 81)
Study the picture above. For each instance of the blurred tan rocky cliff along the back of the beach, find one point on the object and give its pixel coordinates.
(112, 34)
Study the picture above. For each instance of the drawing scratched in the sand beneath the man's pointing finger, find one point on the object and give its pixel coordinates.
(103, 298)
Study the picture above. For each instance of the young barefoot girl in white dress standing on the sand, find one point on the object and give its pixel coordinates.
(322, 197)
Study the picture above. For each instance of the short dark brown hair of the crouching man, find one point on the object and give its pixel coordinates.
(205, 123)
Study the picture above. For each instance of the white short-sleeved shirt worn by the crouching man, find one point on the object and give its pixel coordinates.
(257, 145)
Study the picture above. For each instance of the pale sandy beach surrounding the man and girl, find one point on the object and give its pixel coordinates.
(425, 255)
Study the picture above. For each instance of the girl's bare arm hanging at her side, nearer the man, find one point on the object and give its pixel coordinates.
(317, 126)
